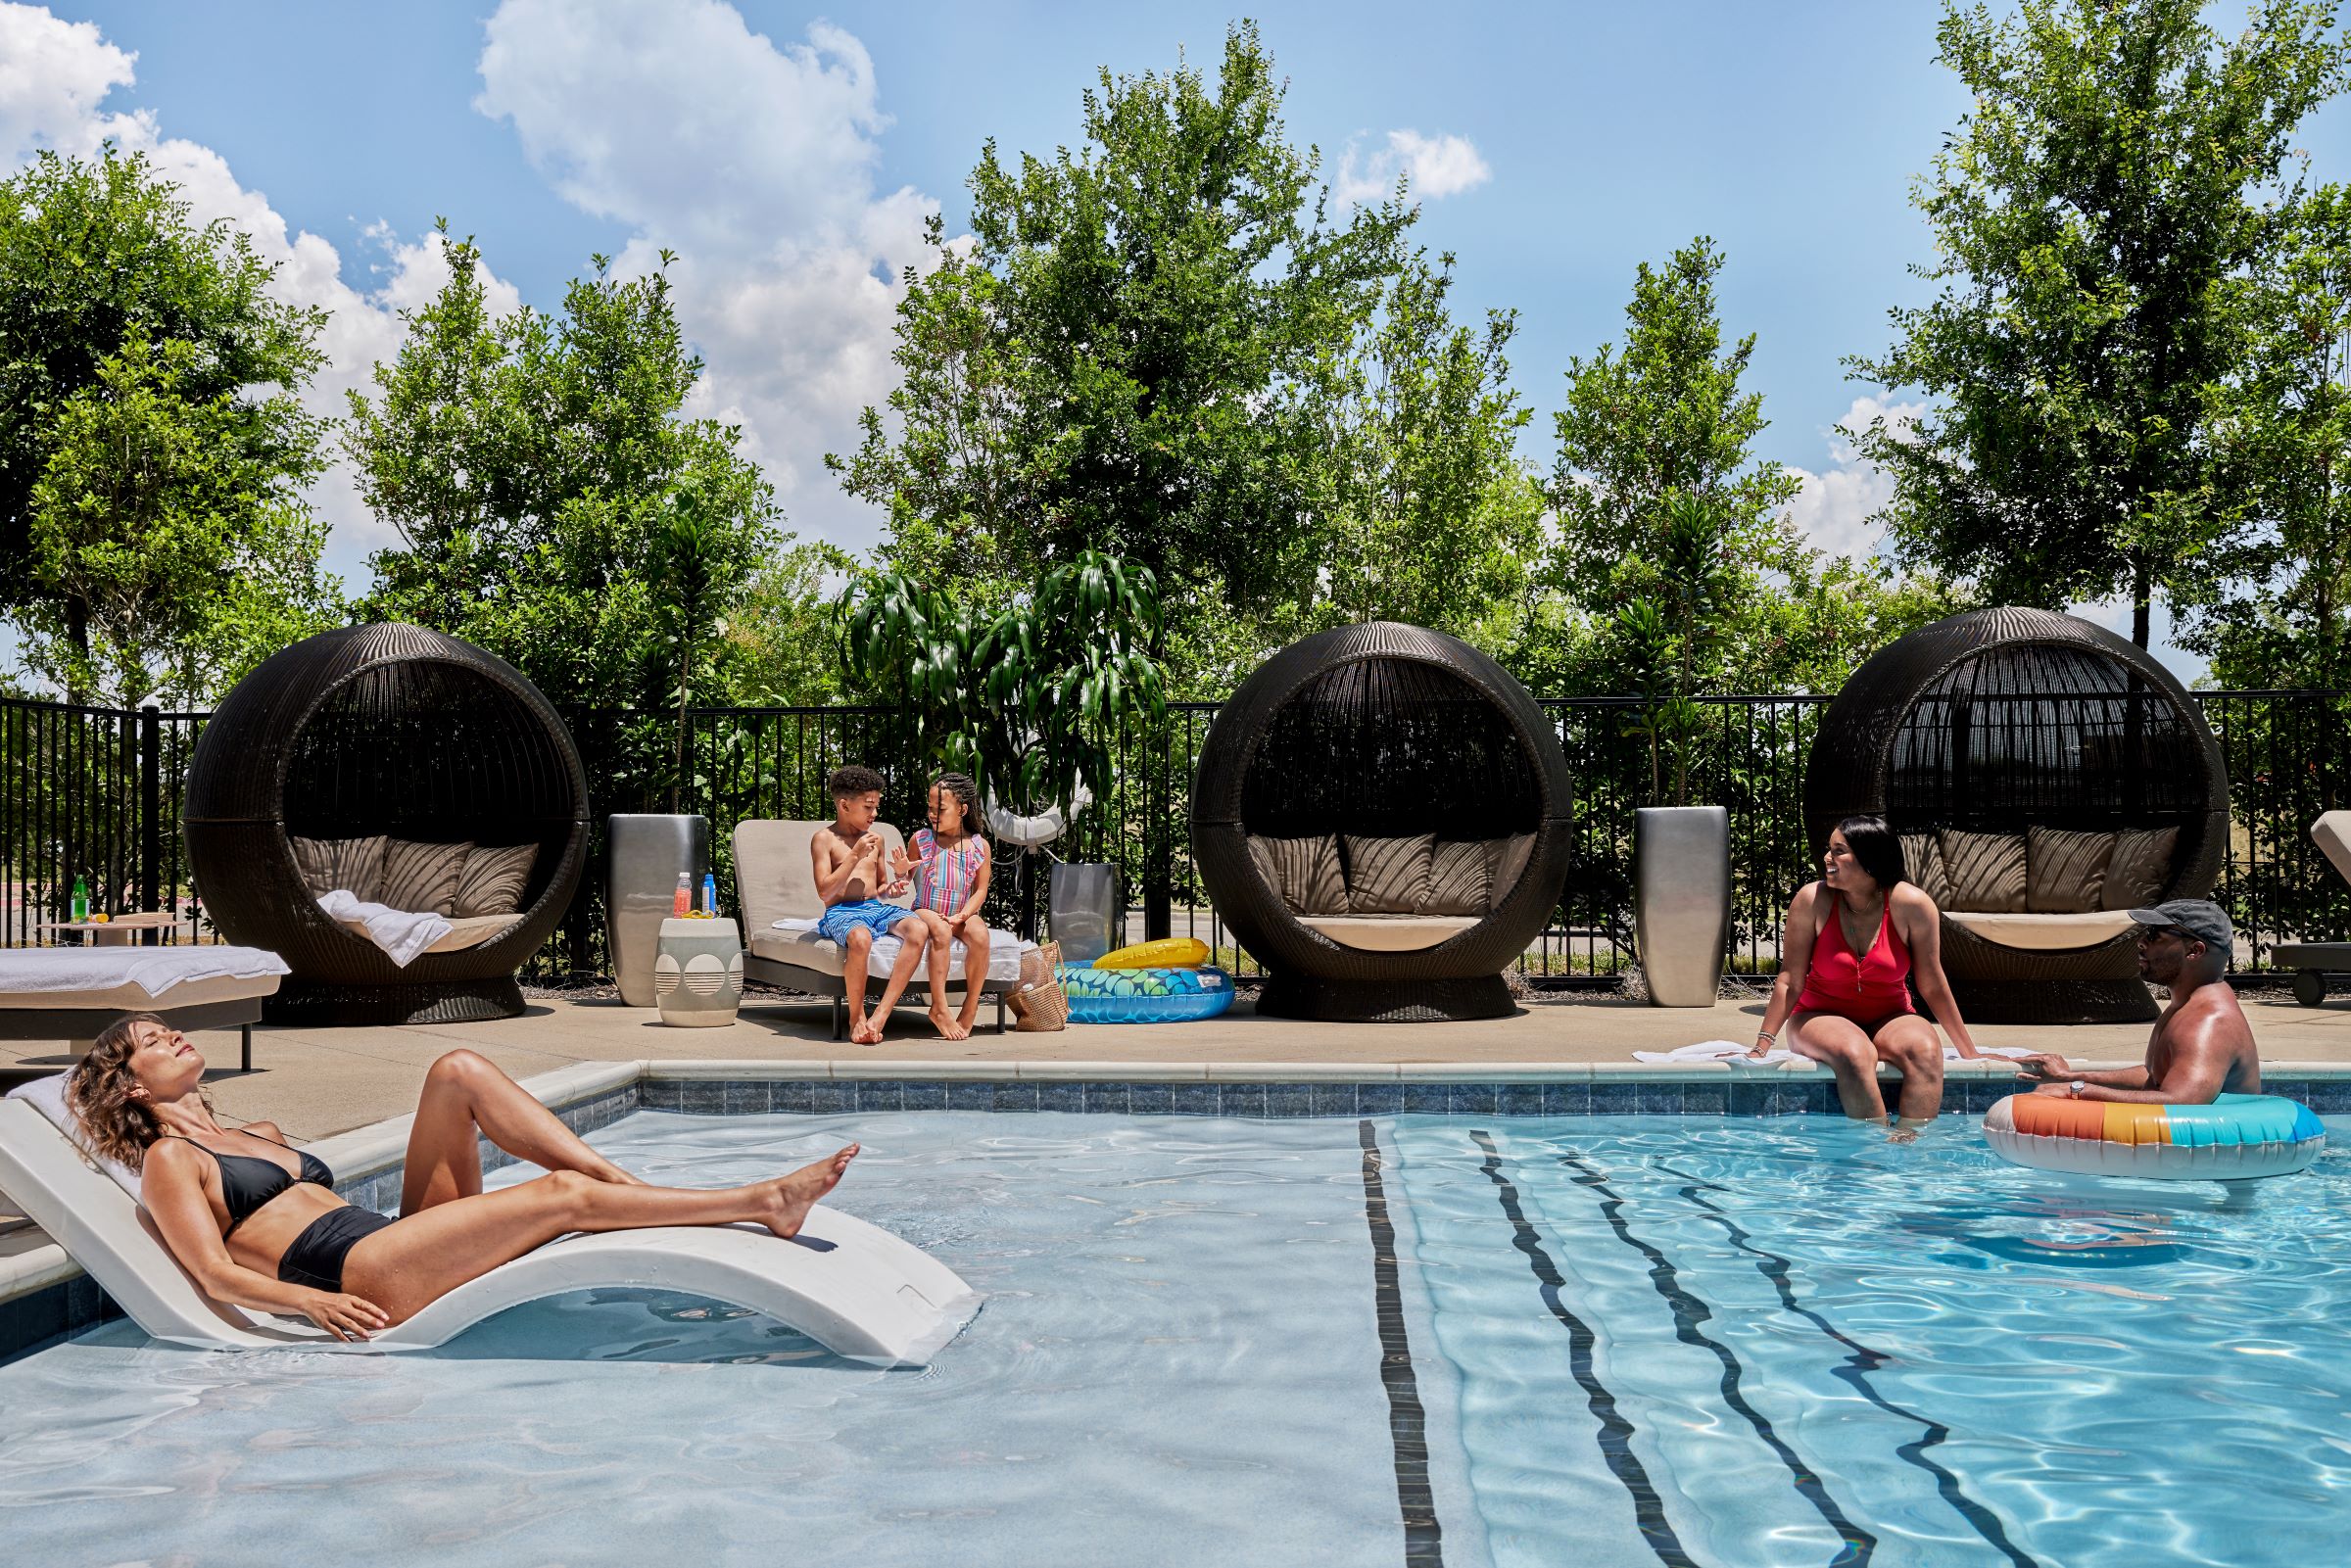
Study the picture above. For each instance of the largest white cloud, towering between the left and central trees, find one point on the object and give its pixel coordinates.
(756, 163)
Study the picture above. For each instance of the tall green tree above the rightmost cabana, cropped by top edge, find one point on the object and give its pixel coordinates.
(2098, 220)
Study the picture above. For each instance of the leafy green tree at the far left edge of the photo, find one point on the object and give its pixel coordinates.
(152, 445)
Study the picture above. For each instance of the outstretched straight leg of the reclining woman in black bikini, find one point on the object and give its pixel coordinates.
(422, 1257)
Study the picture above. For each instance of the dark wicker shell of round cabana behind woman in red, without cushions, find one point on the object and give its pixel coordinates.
(2004, 721)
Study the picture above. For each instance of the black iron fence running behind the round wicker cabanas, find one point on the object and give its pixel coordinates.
(95, 796)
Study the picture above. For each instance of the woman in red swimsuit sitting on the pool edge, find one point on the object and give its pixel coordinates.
(1858, 937)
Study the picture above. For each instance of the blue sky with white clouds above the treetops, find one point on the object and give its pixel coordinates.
(791, 154)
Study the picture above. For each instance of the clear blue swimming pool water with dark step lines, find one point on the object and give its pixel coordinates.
(1221, 1341)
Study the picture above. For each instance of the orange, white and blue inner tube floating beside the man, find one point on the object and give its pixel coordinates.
(2237, 1137)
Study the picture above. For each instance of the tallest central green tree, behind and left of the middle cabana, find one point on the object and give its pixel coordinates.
(1106, 368)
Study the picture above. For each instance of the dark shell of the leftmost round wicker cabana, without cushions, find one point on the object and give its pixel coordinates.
(401, 732)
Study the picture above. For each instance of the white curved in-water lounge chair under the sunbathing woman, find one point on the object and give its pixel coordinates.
(852, 1287)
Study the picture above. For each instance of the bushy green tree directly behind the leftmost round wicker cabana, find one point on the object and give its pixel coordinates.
(554, 500)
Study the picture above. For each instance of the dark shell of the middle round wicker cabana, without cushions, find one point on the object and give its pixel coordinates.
(1381, 732)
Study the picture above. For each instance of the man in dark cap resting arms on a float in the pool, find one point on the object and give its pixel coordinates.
(2202, 1047)
